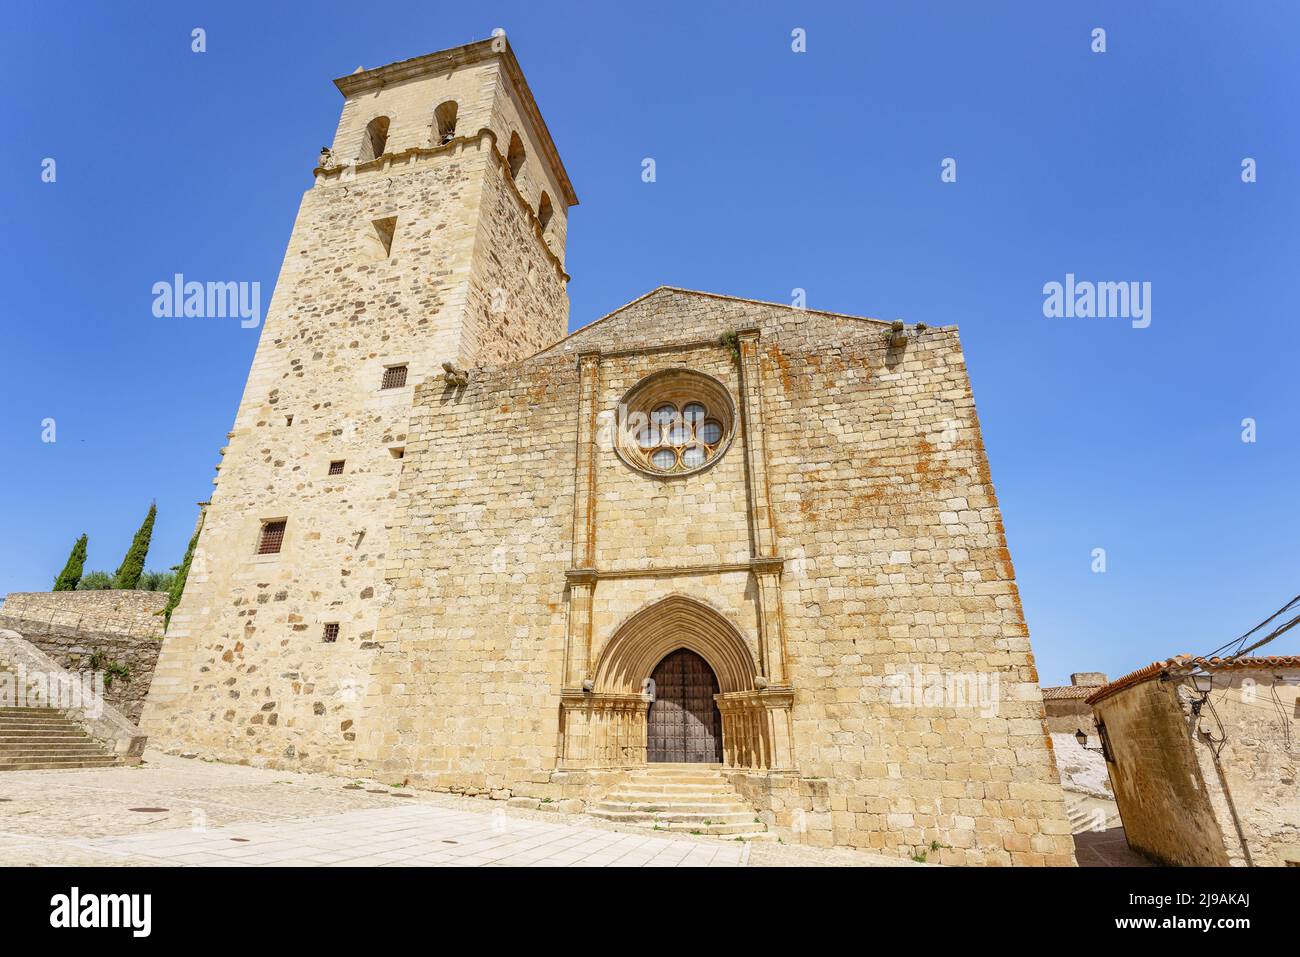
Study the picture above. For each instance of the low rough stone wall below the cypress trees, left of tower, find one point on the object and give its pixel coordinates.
(118, 629)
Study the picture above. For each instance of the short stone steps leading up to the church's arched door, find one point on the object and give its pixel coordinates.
(696, 799)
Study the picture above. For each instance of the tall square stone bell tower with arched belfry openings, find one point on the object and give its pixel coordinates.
(434, 239)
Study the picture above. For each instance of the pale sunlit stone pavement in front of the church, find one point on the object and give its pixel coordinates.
(177, 812)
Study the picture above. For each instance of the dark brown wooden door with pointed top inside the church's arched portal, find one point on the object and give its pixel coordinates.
(684, 724)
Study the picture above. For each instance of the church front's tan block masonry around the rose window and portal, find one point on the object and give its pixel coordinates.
(895, 558)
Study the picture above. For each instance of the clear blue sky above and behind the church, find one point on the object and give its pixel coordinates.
(775, 171)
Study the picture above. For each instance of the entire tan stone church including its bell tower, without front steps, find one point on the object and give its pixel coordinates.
(453, 545)
